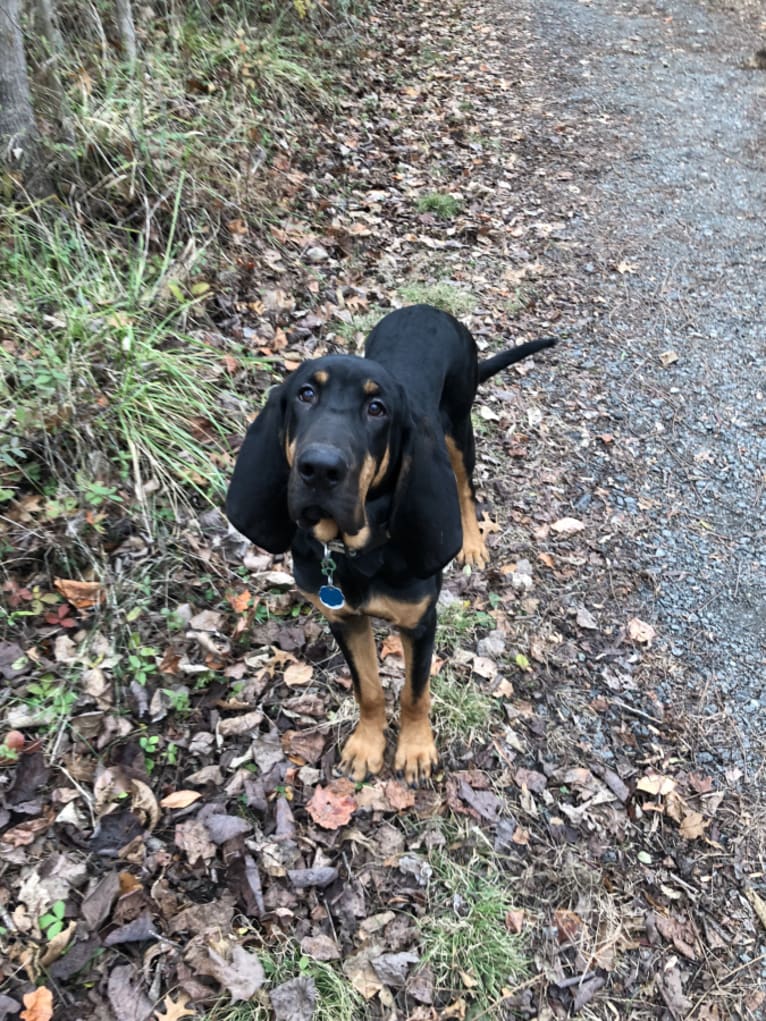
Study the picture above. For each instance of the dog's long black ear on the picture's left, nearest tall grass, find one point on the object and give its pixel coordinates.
(257, 502)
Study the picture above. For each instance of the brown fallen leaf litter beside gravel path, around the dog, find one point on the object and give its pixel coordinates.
(194, 842)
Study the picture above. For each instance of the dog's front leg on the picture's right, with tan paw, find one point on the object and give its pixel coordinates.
(416, 752)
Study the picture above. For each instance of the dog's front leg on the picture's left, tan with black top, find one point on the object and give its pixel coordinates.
(363, 753)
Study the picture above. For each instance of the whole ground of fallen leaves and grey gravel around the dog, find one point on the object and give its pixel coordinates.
(595, 842)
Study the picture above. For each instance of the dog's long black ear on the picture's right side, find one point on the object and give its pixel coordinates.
(426, 519)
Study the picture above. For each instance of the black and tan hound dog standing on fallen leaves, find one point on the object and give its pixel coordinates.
(364, 468)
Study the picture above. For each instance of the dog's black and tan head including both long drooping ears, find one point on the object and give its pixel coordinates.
(334, 441)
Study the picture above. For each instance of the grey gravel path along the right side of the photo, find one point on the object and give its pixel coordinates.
(661, 128)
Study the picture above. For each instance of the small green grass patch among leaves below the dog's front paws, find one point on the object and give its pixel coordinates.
(465, 938)
